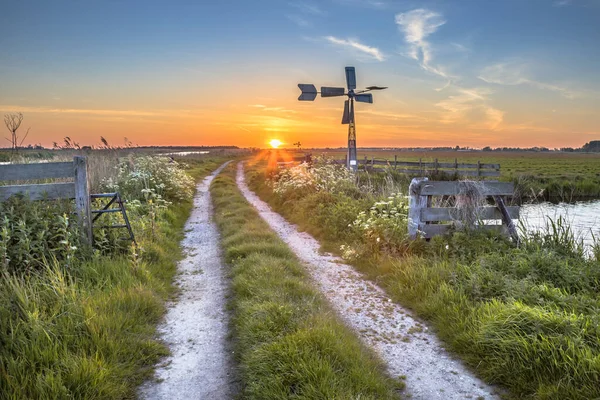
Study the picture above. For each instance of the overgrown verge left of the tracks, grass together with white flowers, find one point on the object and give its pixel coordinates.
(80, 322)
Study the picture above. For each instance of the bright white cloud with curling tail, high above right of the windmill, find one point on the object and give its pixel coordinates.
(417, 25)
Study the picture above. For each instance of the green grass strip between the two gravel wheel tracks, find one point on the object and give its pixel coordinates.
(289, 344)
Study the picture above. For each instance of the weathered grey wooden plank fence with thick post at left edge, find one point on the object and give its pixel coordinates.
(78, 188)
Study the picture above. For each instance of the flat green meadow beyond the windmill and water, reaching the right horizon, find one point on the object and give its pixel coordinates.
(552, 176)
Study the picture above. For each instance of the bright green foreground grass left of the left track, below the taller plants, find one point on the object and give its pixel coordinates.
(88, 331)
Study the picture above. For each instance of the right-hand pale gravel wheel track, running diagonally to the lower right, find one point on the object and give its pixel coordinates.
(406, 345)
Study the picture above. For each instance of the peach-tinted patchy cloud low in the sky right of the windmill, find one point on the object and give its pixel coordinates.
(461, 107)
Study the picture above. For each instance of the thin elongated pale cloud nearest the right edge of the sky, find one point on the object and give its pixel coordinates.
(516, 74)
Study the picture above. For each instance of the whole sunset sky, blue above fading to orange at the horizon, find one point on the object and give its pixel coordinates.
(463, 72)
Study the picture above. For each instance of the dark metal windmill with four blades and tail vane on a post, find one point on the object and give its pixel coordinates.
(309, 93)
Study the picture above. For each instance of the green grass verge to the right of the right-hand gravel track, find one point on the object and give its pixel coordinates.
(526, 318)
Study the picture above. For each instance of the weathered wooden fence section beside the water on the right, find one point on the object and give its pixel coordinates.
(431, 221)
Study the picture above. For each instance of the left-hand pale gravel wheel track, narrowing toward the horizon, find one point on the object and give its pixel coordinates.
(195, 327)
